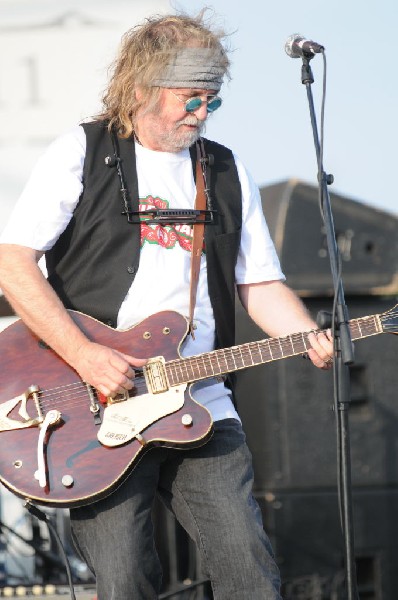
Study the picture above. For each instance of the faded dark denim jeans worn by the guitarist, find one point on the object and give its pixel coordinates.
(209, 491)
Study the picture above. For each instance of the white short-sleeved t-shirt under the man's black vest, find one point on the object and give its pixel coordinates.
(165, 180)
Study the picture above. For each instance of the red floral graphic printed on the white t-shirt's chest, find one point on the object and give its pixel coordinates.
(166, 236)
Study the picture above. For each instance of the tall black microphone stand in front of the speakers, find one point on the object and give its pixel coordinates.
(343, 348)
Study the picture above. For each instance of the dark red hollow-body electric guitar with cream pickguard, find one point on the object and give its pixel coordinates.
(62, 444)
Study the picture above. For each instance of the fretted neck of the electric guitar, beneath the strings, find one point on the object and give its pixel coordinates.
(251, 354)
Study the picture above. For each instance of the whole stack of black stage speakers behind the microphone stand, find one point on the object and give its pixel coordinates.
(287, 405)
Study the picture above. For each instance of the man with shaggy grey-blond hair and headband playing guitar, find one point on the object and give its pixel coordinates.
(137, 213)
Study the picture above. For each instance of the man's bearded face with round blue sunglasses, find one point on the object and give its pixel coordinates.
(168, 127)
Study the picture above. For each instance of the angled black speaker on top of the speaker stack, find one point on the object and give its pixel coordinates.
(367, 239)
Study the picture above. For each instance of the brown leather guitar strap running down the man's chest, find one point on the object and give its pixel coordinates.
(197, 237)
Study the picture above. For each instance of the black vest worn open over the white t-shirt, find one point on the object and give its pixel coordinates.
(93, 263)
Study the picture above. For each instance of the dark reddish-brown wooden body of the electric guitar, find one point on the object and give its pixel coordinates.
(79, 469)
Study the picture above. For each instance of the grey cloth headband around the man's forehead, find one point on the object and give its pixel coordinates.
(201, 68)
